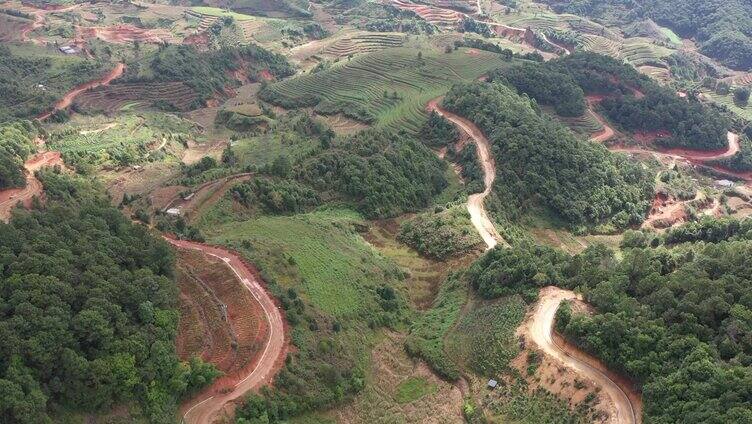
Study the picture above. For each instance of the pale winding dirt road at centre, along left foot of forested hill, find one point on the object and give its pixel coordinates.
(478, 214)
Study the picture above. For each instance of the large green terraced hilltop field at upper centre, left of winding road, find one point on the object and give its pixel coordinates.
(369, 82)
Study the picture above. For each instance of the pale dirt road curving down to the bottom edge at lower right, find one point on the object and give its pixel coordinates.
(541, 331)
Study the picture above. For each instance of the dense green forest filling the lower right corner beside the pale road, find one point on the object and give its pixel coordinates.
(677, 321)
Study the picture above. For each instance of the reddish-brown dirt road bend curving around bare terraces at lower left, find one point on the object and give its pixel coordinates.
(204, 411)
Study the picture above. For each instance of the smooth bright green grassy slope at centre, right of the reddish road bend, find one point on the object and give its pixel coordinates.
(336, 268)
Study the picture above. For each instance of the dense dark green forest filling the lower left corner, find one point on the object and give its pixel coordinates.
(88, 312)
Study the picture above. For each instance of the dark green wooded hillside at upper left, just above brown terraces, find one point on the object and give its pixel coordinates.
(207, 73)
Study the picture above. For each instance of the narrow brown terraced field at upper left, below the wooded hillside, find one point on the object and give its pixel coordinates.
(116, 97)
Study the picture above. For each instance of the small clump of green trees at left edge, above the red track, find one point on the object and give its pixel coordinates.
(16, 144)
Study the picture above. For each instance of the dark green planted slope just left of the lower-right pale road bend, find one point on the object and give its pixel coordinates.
(483, 340)
